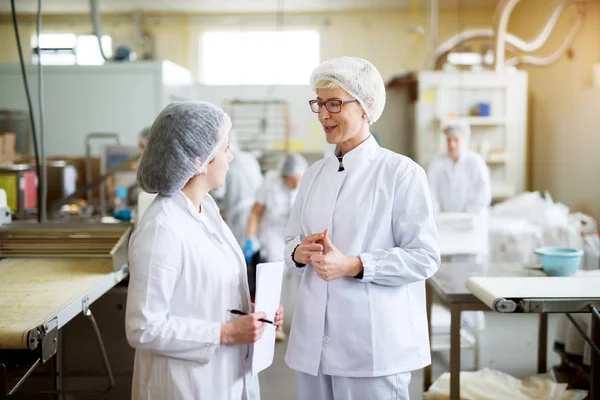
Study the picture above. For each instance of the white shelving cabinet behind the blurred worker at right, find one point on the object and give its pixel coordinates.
(439, 97)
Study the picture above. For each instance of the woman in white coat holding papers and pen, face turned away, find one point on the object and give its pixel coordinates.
(187, 270)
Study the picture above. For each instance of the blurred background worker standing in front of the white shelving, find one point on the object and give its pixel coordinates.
(460, 182)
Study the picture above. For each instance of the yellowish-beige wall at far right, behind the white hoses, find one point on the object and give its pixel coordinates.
(564, 113)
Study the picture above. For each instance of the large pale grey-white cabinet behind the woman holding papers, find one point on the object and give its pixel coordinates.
(118, 98)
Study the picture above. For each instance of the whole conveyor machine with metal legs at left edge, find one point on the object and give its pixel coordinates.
(51, 273)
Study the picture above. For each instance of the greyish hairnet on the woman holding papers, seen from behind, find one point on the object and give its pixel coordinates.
(181, 133)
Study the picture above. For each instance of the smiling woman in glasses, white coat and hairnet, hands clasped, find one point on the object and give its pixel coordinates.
(362, 233)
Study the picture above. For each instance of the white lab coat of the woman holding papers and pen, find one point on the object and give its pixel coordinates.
(187, 271)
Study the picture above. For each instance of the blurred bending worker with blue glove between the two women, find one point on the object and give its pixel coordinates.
(271, 212)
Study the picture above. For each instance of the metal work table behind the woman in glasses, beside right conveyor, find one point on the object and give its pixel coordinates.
(449, 285)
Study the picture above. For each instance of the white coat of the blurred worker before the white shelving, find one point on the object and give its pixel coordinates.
(462, 187)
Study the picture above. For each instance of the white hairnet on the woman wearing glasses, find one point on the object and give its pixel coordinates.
(359, 78)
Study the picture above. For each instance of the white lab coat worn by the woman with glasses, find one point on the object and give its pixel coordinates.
(378, 209)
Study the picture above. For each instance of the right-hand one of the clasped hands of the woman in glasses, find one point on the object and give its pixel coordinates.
(333, 264)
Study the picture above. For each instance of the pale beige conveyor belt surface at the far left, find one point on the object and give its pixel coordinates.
(33, 291)
